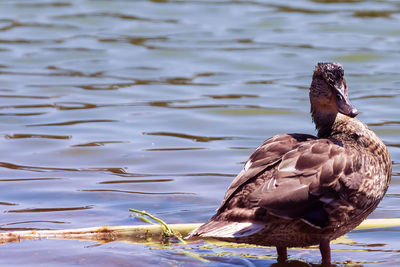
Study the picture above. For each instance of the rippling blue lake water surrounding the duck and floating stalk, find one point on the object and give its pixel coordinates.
(155, 105)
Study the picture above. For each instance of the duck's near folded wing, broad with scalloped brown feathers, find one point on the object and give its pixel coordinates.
(308, 183)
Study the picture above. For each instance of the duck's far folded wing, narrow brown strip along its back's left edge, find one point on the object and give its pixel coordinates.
(268, 154)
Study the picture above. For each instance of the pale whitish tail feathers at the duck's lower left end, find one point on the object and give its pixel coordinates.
(225, 229)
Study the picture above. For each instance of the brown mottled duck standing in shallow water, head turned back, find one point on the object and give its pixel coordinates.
(299, 190)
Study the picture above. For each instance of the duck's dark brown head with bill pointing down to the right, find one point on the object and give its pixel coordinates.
(329, 94)
